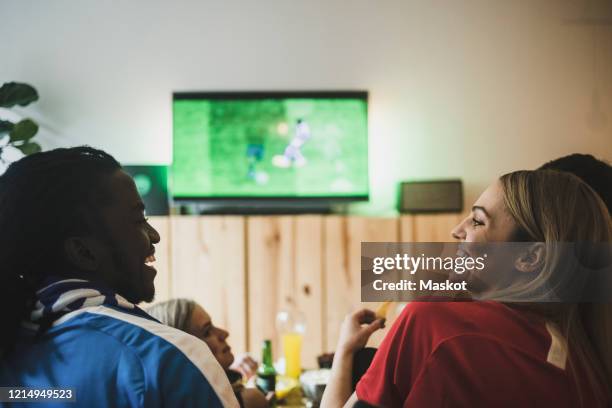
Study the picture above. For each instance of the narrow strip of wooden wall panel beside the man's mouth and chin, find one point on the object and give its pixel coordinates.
(163, 253)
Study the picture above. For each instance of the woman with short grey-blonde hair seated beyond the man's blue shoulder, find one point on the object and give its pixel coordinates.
(186, 315)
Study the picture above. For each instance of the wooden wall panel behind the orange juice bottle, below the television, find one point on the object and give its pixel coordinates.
(285, 272)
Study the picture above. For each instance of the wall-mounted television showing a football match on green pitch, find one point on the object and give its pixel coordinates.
(270, 145)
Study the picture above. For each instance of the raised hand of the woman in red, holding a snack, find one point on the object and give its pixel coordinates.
(356, 329)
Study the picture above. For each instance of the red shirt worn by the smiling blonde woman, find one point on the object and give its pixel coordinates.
(470, 354)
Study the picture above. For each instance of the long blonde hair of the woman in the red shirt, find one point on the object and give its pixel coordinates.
(555, 207)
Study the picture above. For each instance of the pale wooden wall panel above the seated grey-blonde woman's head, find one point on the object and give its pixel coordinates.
(208, 266)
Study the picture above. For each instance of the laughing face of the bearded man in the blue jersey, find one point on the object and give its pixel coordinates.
(126, 247)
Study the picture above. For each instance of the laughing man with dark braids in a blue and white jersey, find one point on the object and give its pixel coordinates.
(76, 256)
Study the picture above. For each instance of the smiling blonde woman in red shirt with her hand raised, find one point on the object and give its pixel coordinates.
(501, 353)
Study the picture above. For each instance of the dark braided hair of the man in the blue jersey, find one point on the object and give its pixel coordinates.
(45, 198)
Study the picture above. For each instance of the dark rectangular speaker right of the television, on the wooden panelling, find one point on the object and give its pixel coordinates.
(431, 196)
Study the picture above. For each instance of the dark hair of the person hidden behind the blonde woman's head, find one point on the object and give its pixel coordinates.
(596, 173)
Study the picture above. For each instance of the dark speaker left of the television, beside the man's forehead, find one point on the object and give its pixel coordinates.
(152, 185)
